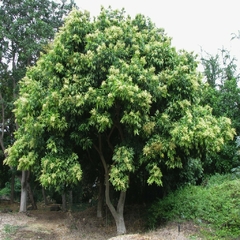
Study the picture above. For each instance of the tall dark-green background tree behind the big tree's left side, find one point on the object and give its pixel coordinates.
(26, 26)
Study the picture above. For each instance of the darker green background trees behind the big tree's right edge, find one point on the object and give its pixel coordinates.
(223, 94)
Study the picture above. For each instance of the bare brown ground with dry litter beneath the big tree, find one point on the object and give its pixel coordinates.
(58, 225)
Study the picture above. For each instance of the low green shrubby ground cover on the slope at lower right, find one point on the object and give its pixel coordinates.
(215, 206)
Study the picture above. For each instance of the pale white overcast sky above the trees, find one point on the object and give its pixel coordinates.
(192, 24)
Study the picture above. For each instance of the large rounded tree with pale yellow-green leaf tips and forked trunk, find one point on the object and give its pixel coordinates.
(114, 87)
